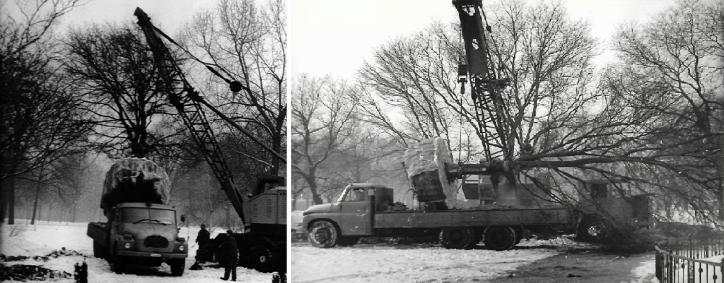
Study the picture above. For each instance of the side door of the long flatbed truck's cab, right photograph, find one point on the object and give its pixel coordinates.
(354, 212)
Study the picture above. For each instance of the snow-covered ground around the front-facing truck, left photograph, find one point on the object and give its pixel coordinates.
(43, 238)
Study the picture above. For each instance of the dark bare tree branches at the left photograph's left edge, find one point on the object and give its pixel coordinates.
(39, 117)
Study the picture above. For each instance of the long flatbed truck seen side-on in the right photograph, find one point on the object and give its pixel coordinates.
(367, 210)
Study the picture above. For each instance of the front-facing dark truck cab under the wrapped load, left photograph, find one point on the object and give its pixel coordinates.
(142, 233)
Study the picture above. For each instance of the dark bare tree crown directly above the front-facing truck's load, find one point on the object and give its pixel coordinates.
(114, 71)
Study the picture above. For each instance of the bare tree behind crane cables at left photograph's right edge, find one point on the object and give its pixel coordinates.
(247, 42)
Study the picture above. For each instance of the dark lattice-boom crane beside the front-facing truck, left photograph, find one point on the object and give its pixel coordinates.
(263, 209)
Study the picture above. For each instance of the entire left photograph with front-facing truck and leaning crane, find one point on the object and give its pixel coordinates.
(143, 141)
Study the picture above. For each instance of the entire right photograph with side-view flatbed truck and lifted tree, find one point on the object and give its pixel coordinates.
(506, 141)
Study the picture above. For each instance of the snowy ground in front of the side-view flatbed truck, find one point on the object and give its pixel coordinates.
(368, 263)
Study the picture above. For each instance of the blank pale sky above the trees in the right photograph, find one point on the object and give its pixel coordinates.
(334, 36)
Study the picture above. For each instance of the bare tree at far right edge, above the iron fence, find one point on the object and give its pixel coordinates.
(671, 78)
